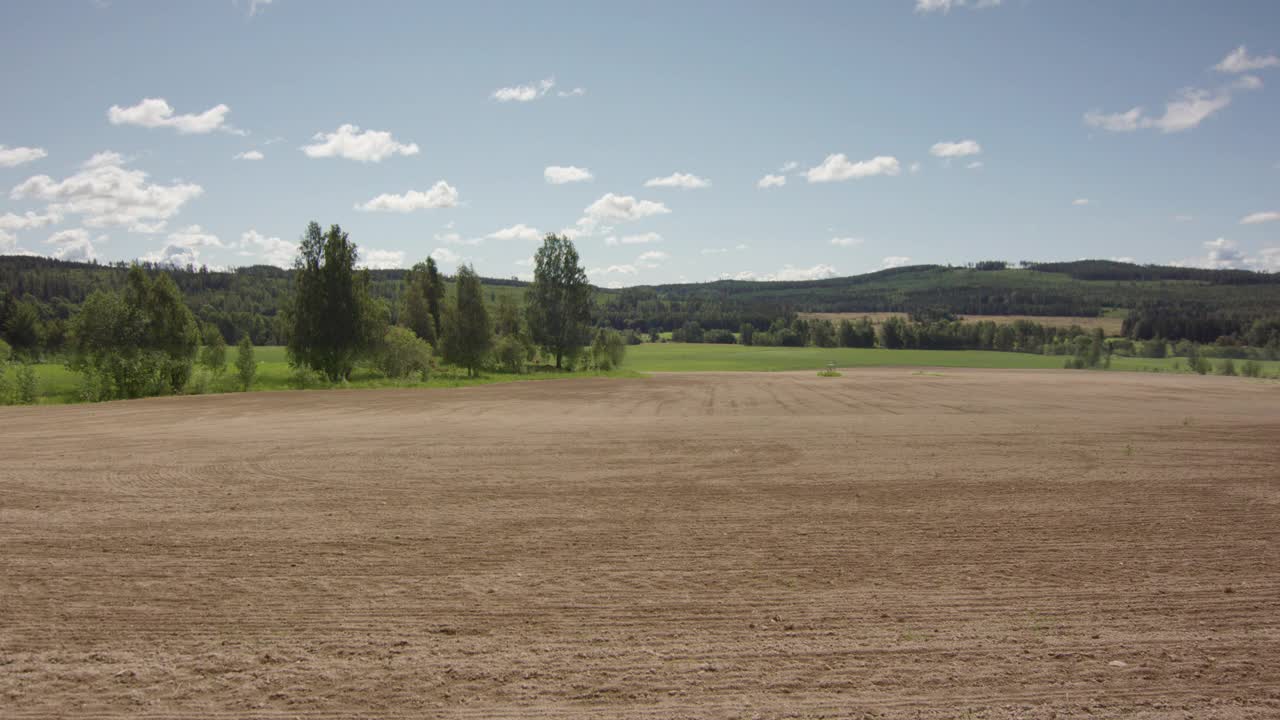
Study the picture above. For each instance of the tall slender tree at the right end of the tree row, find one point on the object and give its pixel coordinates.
(560, 300)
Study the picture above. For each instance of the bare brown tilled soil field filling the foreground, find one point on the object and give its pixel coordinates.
(890, 544)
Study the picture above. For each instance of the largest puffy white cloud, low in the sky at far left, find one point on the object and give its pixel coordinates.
(107, 194)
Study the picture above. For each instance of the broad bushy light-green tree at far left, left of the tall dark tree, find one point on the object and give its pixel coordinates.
(141, 341)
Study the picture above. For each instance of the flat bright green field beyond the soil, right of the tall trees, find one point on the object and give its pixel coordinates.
(674, 357)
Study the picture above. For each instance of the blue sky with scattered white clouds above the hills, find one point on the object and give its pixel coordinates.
(671, 142)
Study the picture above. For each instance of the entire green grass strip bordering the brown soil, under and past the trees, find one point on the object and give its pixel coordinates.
(58, 385)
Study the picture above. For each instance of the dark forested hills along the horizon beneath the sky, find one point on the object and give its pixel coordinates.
(249, 299)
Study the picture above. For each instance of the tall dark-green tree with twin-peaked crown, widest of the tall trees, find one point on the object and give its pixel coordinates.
(331, 321)
